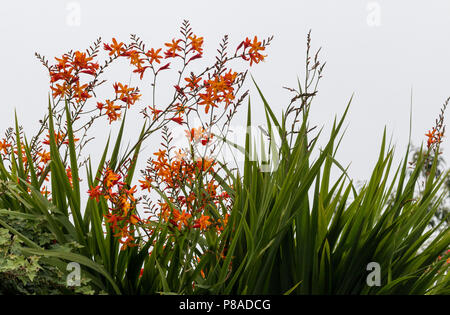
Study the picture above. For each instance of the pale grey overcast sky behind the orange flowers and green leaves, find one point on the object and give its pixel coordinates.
(378, 50)
